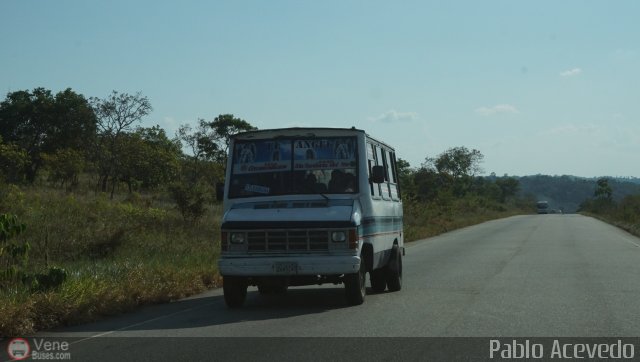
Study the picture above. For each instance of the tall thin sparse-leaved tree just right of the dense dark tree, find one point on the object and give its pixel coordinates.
(116, 115)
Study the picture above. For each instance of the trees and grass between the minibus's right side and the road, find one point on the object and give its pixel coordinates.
(445, 193)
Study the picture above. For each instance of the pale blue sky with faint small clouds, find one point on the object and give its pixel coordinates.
(538, 87)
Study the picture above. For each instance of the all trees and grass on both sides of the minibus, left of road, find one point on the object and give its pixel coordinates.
(99, 215)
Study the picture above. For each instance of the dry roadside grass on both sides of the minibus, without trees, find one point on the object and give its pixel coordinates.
(138, 250)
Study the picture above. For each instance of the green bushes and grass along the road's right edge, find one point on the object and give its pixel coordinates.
(624, 214)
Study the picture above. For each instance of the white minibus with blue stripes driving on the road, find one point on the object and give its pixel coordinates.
(306, 206)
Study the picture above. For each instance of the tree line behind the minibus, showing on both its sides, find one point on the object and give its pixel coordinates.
(66, 135)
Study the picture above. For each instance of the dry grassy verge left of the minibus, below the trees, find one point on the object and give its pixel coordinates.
(87, 256)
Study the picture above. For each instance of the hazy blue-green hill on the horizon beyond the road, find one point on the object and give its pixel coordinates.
(568, 192)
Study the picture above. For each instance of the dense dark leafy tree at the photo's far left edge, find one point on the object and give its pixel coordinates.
(39, 123)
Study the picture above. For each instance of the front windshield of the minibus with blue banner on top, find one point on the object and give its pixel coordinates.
(281, 166)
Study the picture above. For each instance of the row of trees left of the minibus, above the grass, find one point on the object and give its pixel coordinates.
(67, 135)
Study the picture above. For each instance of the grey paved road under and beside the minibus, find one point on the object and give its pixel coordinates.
(537, 275)
